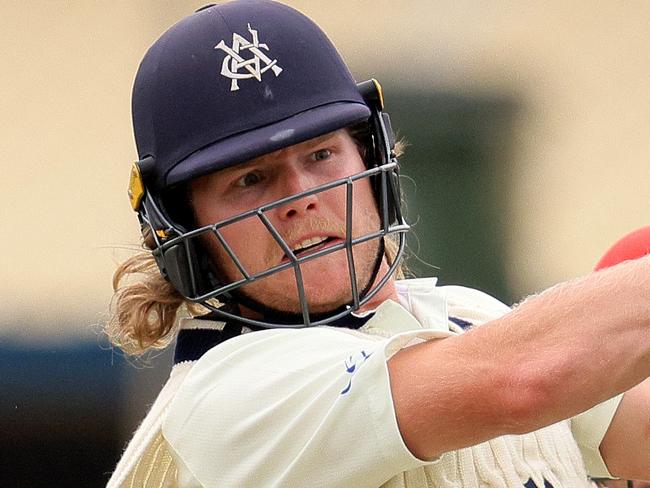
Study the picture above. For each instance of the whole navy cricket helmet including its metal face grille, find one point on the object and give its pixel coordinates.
(229, 83)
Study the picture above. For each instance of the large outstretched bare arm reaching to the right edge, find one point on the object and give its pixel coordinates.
(554, 356)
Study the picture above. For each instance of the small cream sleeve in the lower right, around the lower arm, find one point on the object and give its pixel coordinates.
(588, 429)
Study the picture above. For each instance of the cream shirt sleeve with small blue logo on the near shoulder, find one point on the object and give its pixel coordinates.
(278, 407)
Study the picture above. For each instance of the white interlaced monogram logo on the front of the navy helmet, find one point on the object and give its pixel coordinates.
(254, 67)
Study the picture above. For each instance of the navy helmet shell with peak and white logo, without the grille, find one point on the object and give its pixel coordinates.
(235, 81)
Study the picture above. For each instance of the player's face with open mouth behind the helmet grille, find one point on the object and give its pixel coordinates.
(307, 225)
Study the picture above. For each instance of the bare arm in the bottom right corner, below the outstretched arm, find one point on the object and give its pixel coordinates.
(626, 446)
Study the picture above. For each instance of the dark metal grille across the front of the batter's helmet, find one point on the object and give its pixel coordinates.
(189, 275)
